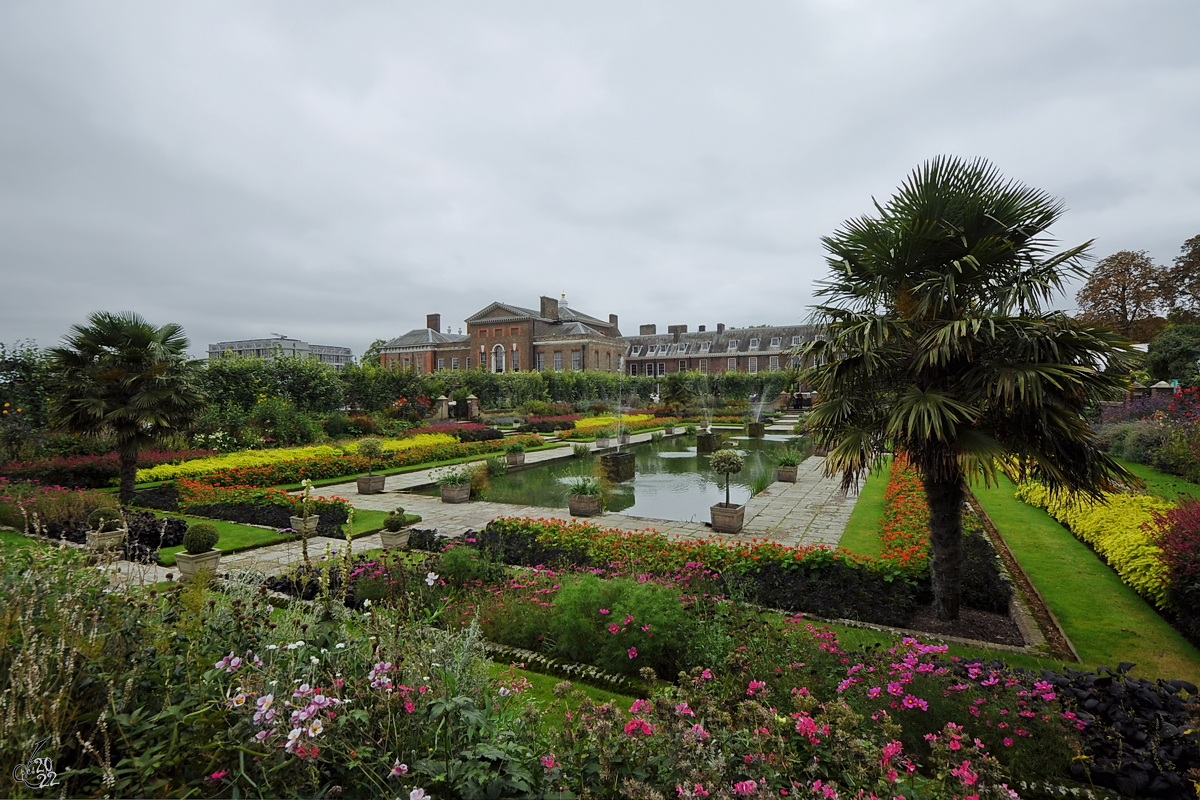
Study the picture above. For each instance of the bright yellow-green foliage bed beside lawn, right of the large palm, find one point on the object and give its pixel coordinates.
(1115, 530)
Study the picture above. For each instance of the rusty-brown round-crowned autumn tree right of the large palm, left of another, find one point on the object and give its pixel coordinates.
(1125, 293)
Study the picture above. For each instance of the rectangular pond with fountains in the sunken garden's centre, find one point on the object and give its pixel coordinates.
(671, 480)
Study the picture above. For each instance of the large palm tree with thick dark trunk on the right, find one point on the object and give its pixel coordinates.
(935, 344)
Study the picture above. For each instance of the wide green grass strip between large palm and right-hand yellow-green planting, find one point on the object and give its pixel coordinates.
(1106, 621)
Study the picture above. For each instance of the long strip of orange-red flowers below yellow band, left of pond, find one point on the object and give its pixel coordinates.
(339, 466)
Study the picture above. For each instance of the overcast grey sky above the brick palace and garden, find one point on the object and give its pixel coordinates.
(337, 171)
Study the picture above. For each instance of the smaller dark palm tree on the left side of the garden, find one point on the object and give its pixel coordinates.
(124, 378)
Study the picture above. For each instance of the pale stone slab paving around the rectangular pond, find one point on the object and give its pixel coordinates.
(812, 512)
